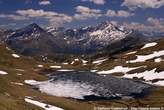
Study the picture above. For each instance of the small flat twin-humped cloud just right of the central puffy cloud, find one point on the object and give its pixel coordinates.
(120, 13)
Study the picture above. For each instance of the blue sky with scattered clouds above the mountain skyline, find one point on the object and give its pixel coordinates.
(144, 15)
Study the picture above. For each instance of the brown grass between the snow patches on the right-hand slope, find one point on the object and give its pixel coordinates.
(120, 60)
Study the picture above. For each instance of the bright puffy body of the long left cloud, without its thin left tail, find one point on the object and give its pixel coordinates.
(54, 19)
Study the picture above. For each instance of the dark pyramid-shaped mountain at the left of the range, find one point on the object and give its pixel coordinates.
(34, 41)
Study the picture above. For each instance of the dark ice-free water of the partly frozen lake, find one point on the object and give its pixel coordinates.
(106, 87)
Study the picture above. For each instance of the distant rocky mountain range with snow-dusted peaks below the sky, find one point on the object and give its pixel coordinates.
(33, 40)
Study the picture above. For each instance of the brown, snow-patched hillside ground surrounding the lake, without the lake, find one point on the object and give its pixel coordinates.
(19, 68)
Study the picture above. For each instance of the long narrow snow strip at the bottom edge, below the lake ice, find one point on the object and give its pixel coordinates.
(42, 105)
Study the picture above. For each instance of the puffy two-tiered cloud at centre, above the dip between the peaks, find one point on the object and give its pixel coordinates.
(84, 13)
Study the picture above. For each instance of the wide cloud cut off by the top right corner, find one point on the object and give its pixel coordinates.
(133, 4)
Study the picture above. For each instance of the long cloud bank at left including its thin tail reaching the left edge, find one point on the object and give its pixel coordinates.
(53, 18)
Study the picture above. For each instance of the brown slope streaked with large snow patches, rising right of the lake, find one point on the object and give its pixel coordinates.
(144, 63)
